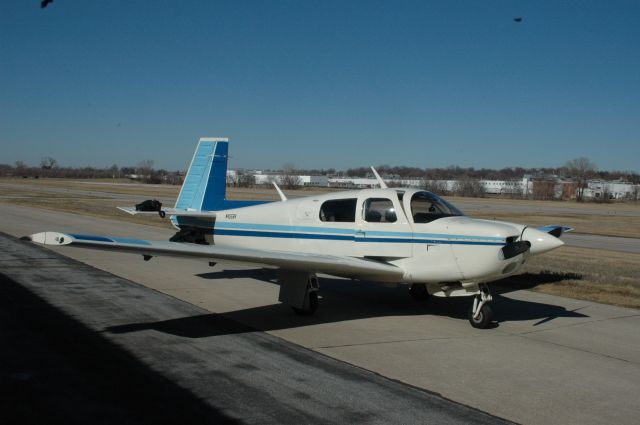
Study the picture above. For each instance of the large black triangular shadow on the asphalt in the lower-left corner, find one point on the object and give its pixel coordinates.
(56, 370)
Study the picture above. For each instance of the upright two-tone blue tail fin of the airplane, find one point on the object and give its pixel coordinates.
(204, 186)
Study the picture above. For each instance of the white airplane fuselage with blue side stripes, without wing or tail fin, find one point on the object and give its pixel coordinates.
(448, 249)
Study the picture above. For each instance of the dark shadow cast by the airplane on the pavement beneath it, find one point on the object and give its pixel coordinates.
(343, 300)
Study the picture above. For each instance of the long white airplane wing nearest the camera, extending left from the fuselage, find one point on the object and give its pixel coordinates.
(330, 264)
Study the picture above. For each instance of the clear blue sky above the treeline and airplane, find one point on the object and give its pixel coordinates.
(322, 83)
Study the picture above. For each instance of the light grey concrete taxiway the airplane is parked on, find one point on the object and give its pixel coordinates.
(550, 360)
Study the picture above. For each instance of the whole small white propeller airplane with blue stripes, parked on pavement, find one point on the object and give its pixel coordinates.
(390, 235)
